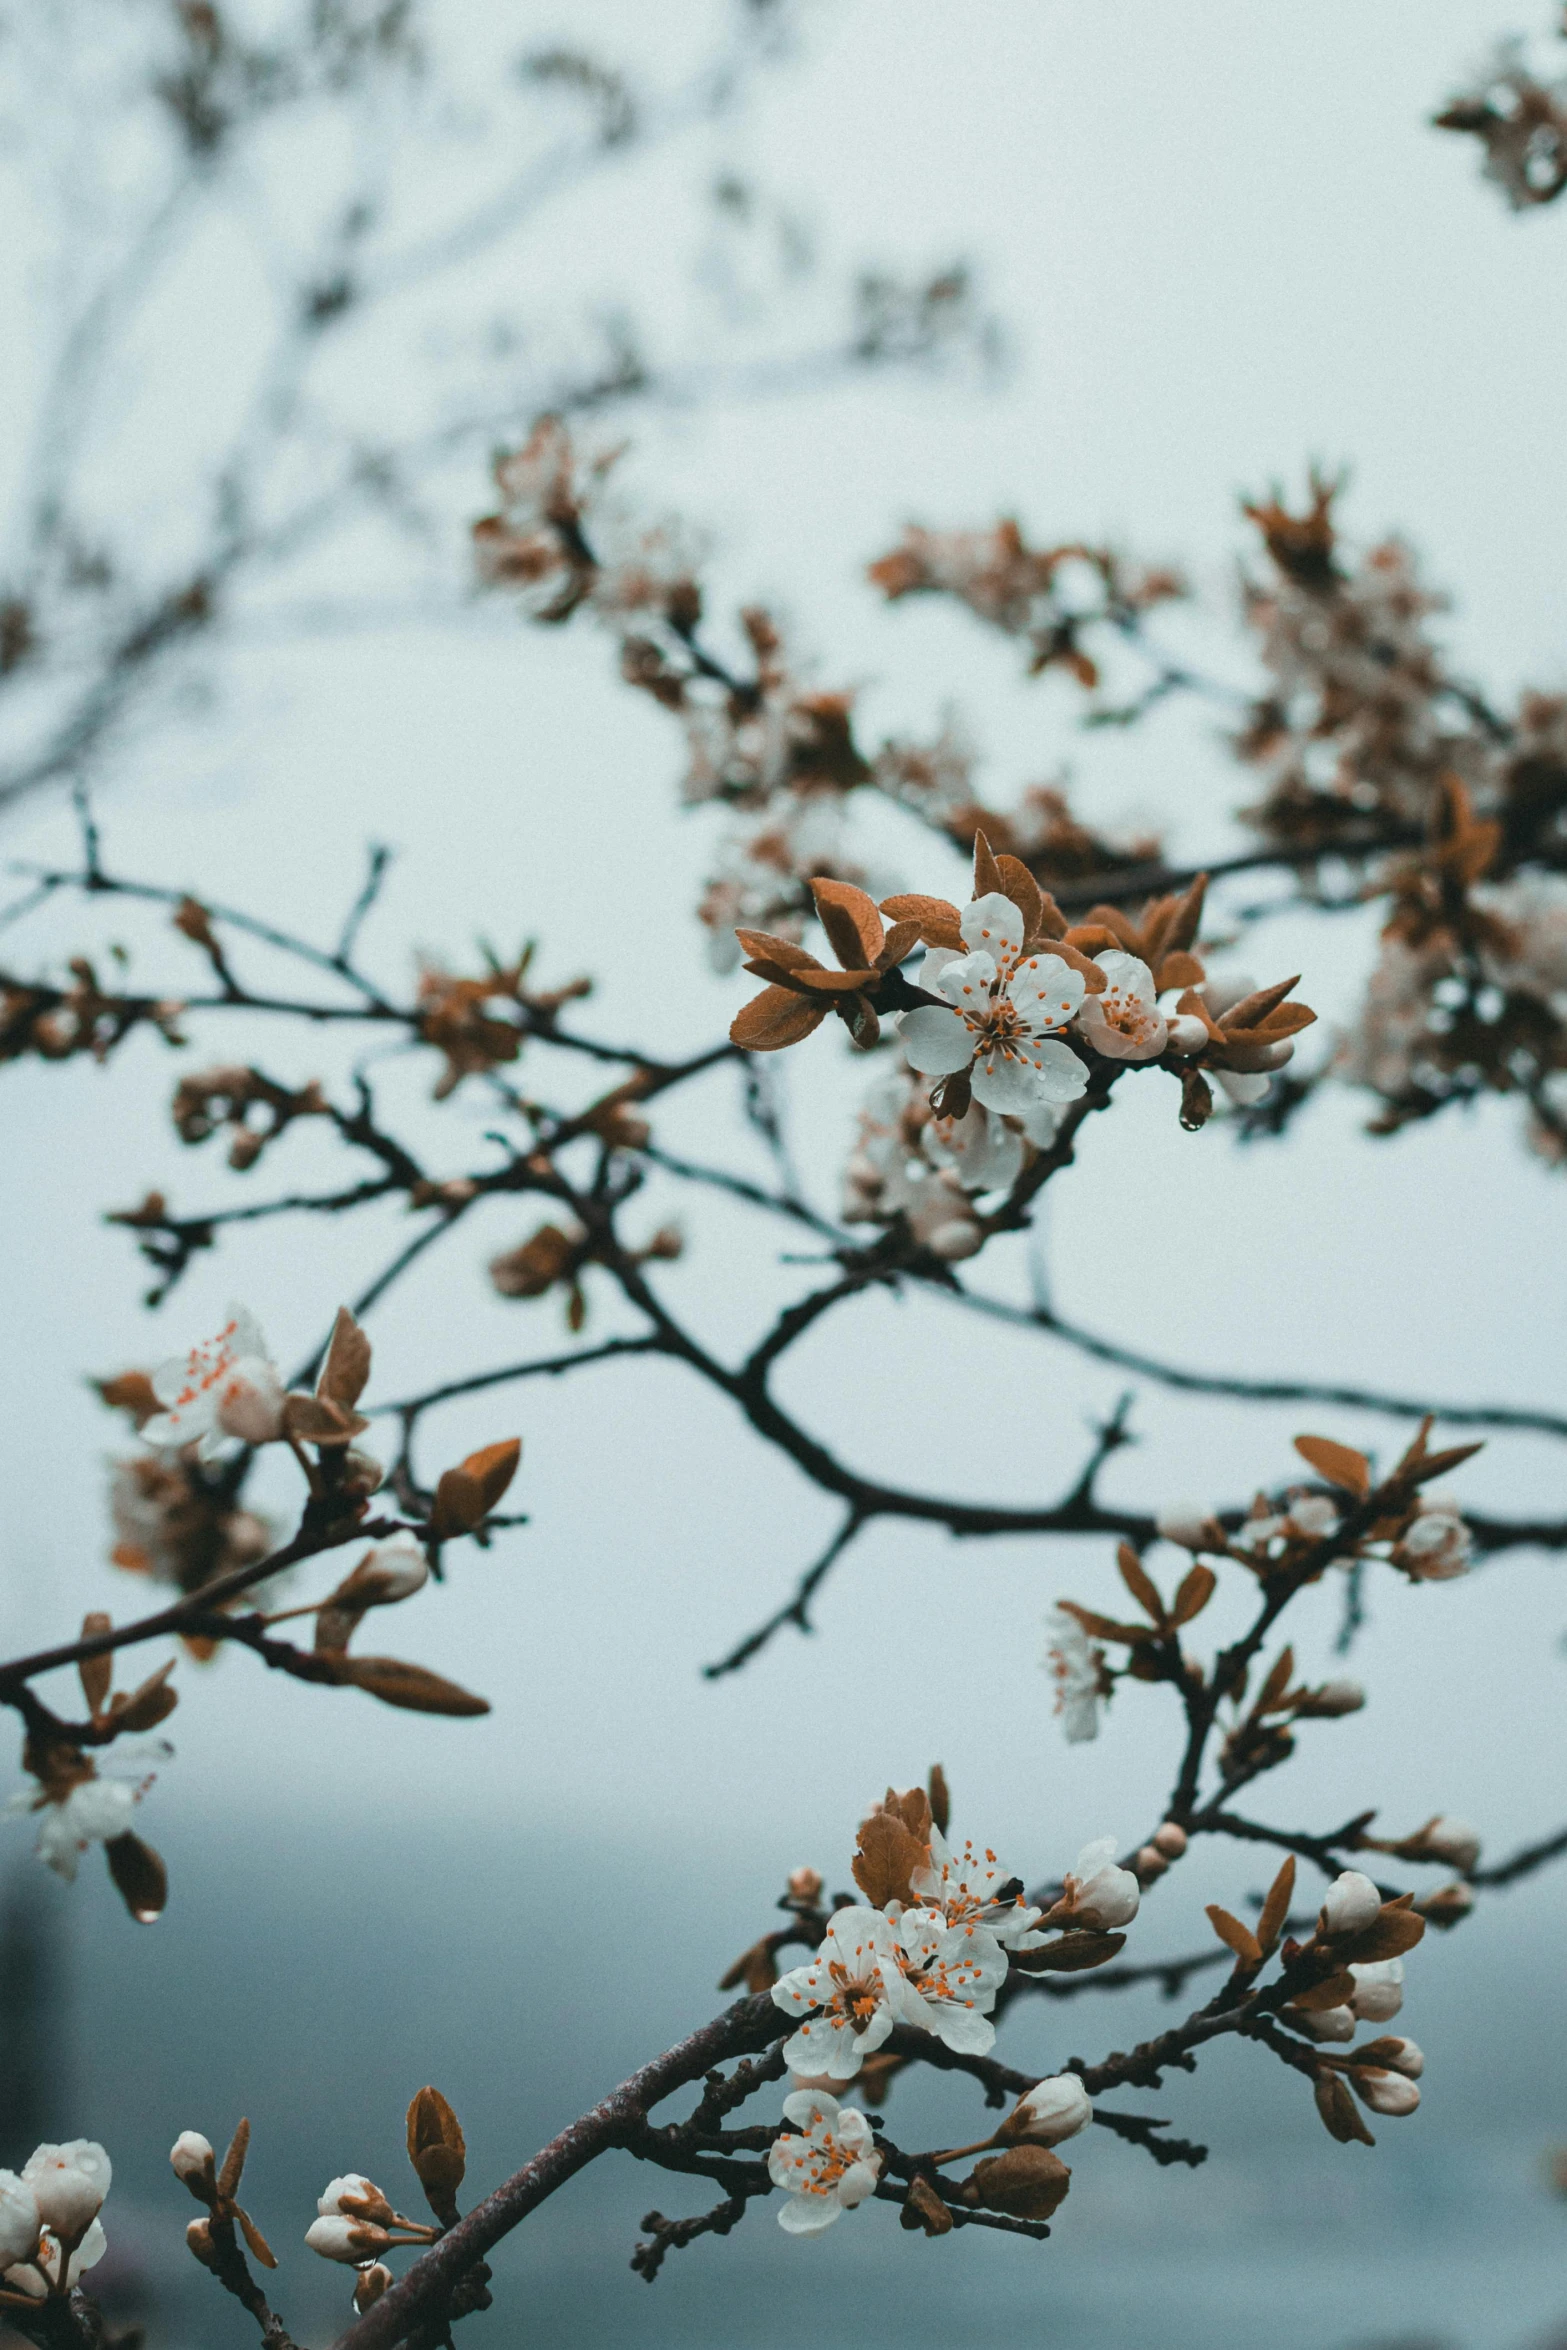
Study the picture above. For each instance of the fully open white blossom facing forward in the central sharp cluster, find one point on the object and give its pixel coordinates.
(1004, 1019)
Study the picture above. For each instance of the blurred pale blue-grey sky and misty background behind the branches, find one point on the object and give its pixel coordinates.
(1204, 248)
